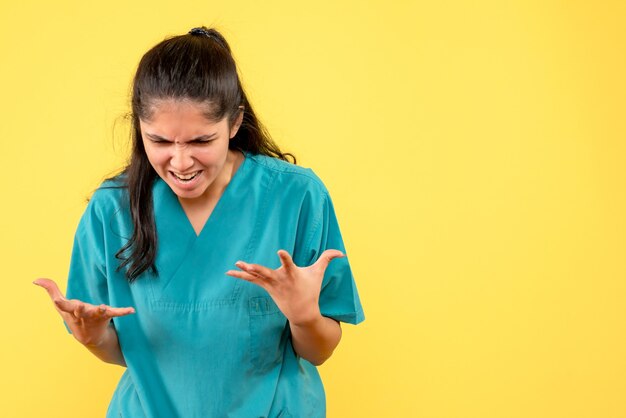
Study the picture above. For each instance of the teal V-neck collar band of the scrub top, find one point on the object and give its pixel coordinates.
(168, 200)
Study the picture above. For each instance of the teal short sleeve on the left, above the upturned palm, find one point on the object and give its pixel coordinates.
(87, 280)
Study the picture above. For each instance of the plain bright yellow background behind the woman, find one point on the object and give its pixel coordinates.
(475, 151)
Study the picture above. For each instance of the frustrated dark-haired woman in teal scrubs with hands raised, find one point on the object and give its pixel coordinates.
(186, 266)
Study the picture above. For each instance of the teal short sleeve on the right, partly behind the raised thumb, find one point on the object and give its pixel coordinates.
(339, 298)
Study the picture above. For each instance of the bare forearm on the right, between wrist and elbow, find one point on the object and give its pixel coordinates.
(315, 341)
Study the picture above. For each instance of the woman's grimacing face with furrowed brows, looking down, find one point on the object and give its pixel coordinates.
(188, 151)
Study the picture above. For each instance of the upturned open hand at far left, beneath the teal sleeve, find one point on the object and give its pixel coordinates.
(87, 322)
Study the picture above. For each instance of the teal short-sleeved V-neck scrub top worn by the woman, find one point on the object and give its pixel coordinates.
(201, 343)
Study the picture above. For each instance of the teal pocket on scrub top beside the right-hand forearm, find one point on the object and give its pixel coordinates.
(269, 333)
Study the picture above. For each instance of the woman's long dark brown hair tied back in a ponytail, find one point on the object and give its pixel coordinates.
(198, 66)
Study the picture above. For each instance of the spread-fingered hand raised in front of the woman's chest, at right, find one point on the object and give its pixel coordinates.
(295, 290)
